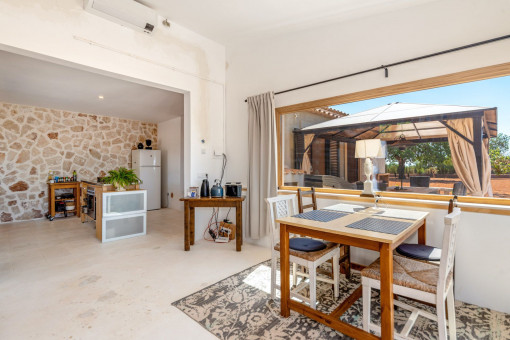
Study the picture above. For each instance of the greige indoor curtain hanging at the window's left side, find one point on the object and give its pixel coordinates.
(262, 180)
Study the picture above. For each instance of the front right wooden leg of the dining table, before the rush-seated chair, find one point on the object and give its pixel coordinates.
(387, 312)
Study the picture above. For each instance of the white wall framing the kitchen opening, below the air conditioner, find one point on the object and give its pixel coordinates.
(171, 58)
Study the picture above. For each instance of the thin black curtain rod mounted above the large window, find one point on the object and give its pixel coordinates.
(385, 67)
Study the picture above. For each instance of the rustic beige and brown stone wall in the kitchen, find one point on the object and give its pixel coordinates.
(34, 141)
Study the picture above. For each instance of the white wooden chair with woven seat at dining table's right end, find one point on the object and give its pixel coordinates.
(421, 281)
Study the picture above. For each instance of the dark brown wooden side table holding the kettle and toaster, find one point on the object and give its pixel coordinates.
(211, 202)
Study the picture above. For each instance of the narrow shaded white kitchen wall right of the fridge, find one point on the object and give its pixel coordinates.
(170, 141)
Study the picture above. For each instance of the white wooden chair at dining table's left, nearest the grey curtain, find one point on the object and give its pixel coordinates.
(284, 206)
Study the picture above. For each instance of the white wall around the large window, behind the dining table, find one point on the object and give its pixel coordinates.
(292, 60)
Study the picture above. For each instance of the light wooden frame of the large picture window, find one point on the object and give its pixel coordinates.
(482, 73)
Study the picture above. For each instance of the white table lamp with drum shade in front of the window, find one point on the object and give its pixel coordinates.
(369, 148)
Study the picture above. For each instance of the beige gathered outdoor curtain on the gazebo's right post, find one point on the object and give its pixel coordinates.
(464, 160)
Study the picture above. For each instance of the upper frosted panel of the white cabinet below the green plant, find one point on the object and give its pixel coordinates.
(122, 203)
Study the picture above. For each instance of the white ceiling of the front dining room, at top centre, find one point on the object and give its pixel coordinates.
(226, 21)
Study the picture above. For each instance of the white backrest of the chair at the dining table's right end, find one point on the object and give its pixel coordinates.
(448, 249)
